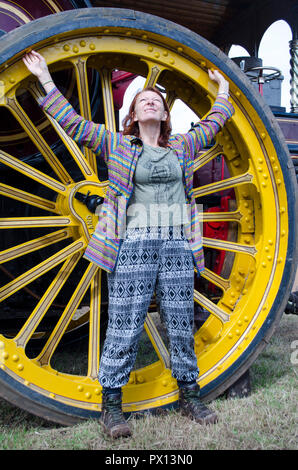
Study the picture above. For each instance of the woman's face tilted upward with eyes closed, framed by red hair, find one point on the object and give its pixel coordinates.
(149, 107)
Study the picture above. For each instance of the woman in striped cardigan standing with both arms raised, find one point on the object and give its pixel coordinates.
(145, 238)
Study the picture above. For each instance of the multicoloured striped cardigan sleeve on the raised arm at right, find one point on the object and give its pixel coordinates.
(205, 130)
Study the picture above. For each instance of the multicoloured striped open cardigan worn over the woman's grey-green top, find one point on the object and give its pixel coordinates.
(121, 155)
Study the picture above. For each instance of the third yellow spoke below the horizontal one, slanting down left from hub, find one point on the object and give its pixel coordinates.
(46, 300)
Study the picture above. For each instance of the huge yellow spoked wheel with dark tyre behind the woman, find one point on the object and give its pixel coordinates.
(48, 289)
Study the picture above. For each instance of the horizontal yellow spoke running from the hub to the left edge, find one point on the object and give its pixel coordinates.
(30, 222)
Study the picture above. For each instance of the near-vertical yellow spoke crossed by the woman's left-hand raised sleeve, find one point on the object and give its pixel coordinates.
(80, 65)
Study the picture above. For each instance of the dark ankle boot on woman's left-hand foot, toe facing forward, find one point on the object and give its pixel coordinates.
(112, 417)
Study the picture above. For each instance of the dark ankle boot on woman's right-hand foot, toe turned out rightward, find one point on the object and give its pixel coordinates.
(191, 405)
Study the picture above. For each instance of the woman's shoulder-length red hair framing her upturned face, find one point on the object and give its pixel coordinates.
(131, 127)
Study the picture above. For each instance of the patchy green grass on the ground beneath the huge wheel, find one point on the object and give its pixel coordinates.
(267, 419)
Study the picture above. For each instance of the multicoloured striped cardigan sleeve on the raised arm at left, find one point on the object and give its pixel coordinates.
(84, 132)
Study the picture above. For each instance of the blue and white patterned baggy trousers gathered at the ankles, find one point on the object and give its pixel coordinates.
(148, 261)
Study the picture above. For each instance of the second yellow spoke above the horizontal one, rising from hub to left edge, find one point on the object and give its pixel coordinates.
(31, 172)
